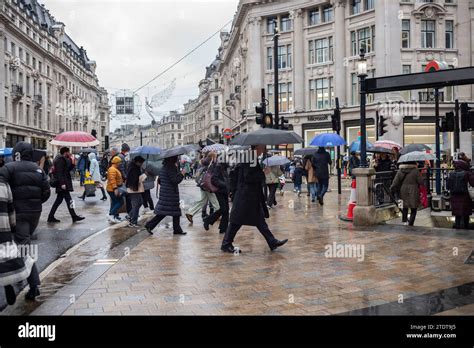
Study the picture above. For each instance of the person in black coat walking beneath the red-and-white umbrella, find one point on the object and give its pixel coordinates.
(63, 165)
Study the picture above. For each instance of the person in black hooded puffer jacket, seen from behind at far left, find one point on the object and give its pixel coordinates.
(30, 189)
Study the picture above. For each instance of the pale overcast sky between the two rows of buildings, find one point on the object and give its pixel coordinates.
(134, 40)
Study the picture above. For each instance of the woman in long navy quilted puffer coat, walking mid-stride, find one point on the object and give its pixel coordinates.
(168, 202)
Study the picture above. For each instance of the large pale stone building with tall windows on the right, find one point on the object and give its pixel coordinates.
(319, 46)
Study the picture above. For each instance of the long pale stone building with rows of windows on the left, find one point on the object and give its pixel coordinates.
(48, 82)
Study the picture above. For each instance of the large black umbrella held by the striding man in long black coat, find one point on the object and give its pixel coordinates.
(267, 136)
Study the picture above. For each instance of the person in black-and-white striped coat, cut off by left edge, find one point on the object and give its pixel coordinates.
(14, 267)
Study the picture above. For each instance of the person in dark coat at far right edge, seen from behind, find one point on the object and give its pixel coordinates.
(458, 184)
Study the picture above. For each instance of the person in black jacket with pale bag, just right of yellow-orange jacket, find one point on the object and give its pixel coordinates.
(135, 188)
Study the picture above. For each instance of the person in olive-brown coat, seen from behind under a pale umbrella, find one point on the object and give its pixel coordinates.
(406, 184)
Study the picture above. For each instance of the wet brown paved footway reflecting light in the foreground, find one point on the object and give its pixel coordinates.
(386, 269)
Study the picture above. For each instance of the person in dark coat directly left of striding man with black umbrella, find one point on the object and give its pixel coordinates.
(220, 179)
